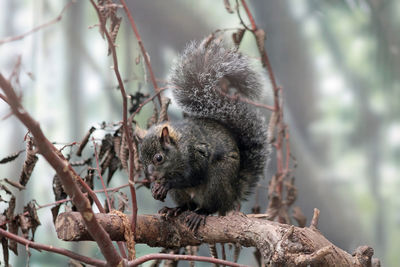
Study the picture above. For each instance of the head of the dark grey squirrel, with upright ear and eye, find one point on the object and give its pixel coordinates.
(159, 152)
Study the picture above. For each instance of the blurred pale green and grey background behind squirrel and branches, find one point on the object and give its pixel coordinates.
(338, 63)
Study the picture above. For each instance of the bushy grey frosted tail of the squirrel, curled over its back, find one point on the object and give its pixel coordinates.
(202, 80)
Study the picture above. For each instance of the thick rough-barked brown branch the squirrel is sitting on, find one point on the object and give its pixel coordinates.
(278, 243)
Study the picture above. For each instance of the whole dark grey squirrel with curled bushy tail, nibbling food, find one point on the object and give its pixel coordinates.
(209, 161)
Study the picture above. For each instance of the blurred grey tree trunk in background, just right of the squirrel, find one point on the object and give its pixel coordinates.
(293, 64)
